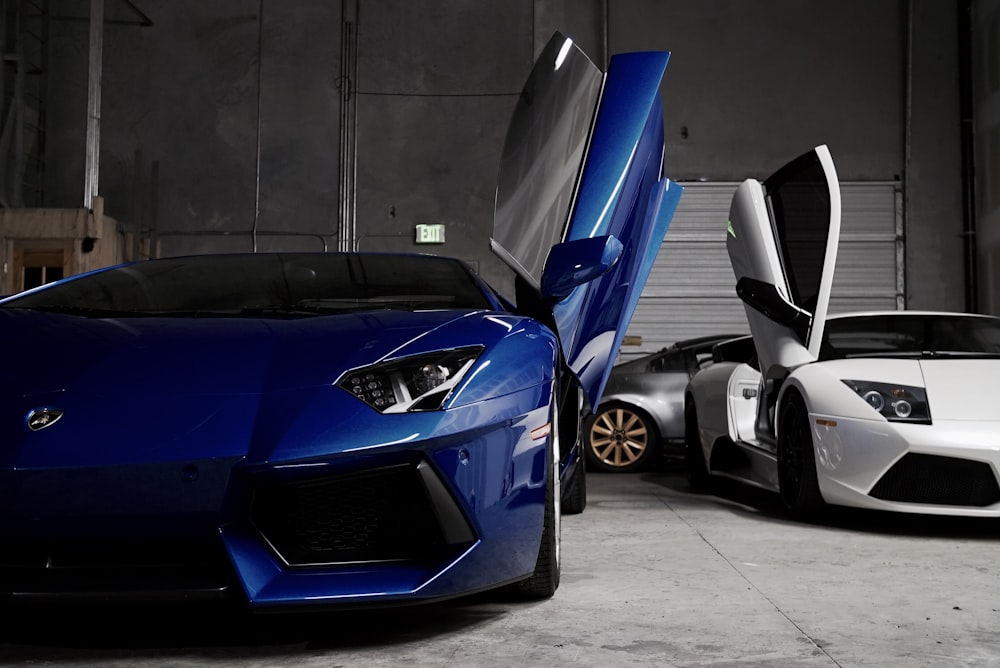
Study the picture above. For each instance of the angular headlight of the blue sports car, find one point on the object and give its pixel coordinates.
(415, 383)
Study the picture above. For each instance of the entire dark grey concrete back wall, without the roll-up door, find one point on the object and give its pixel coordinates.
(226, 117)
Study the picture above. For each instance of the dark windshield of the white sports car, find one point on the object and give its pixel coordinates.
(906, 335)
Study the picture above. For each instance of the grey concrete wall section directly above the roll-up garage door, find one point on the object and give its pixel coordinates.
(752, 84)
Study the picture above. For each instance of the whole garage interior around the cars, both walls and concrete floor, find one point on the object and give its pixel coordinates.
(136, 129)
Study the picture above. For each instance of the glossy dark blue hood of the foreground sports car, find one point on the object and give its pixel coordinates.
(159, 389)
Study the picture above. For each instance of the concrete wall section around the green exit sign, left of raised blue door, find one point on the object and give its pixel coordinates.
(435, 91)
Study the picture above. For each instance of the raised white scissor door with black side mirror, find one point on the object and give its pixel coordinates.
(782, 240)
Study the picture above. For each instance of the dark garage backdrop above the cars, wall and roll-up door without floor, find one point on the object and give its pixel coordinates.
(245, 125)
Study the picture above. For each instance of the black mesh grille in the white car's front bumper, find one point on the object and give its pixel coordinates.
(949, 481)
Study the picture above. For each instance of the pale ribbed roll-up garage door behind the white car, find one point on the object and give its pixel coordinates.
(691, 292)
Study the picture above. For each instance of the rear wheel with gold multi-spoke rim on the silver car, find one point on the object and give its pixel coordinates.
(620, 439)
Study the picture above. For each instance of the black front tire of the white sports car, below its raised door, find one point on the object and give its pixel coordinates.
(797, 480)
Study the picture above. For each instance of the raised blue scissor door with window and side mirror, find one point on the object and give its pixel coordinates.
(582, 205)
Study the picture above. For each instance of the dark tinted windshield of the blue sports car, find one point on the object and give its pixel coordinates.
(266, 283)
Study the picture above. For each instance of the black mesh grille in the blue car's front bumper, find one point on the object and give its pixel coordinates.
(374, 516)
